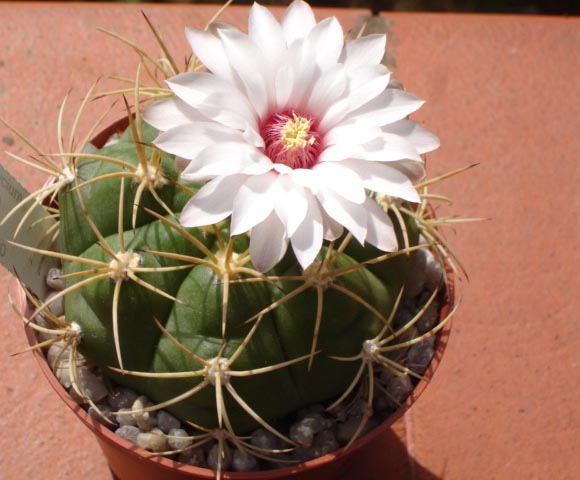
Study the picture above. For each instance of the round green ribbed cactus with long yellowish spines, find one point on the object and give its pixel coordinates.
(181, 313)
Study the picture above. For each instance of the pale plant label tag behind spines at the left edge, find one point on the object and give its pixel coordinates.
(30, 226)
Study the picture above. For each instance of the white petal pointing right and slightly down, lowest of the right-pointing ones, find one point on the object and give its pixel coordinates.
(383, 178)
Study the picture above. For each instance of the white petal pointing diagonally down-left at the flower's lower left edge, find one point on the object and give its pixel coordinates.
(213, 202)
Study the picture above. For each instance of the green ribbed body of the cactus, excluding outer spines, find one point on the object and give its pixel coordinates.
(270, 320)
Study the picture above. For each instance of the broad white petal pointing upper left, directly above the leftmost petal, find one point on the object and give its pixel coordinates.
(215, 98)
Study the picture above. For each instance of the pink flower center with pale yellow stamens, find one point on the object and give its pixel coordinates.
(291, 139)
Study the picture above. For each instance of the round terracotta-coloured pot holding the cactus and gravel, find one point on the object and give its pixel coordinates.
(129, 462)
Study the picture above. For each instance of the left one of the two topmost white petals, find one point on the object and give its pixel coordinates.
(266, 32)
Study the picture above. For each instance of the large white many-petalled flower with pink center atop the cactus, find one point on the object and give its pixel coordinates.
(290, 127)
